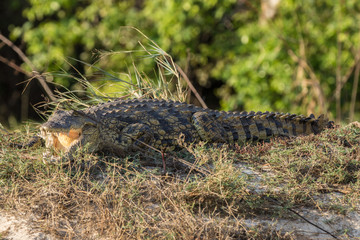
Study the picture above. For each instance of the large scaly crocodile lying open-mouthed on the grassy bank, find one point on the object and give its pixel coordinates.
(124, 126)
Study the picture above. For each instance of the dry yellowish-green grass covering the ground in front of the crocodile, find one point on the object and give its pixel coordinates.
(104, 197)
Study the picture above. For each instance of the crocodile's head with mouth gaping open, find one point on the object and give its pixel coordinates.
(64, 129)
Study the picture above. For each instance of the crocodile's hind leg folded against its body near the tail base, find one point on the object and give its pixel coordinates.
(210, 130)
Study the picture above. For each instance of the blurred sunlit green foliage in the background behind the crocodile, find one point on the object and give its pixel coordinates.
(216, 41)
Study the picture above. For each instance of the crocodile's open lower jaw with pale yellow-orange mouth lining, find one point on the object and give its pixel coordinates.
(60, 140)
